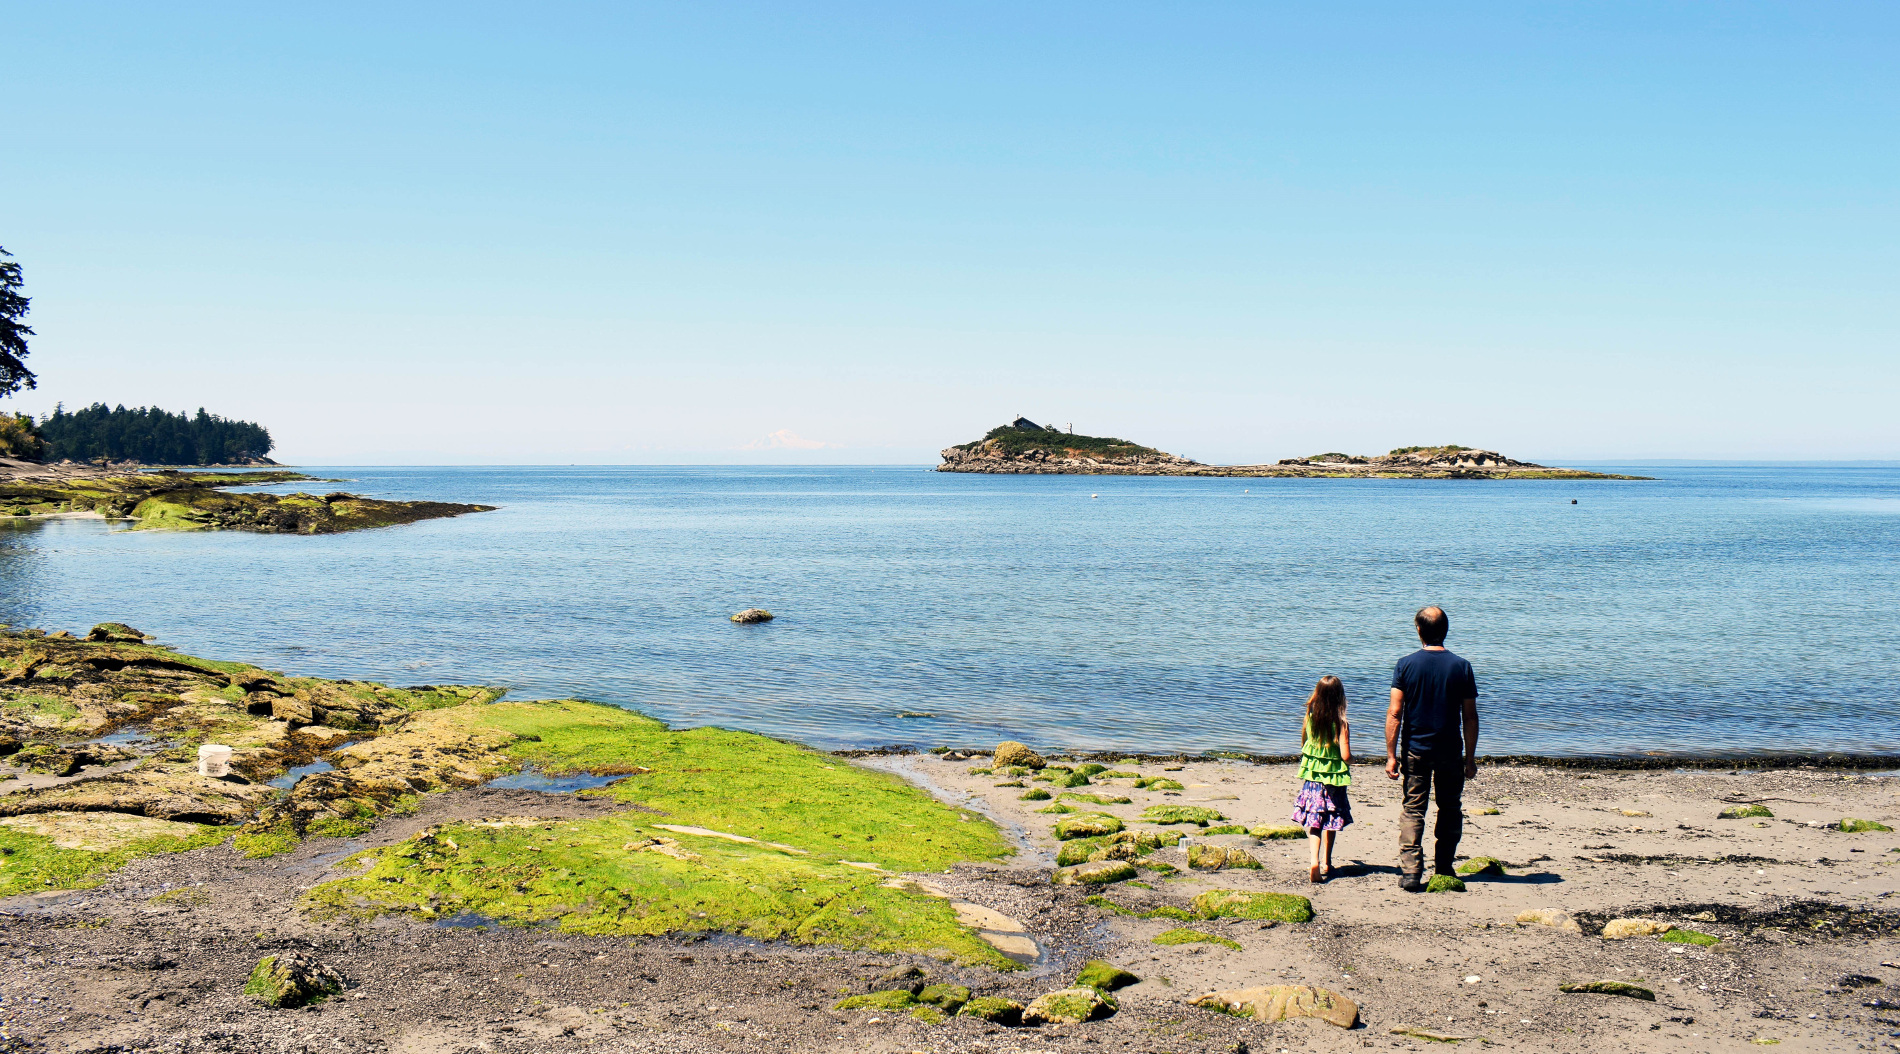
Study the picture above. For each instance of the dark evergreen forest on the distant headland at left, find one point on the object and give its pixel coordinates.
(151, 436)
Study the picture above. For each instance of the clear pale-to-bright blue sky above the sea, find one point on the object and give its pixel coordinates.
(624, 233)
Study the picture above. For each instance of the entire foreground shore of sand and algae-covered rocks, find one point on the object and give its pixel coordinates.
(440, 871)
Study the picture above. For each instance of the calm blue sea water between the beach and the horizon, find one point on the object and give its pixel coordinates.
(1719, 611)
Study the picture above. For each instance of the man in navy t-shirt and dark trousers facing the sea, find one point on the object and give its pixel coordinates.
(1434, 694)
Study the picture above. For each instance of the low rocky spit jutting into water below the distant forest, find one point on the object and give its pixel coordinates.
(200, 500)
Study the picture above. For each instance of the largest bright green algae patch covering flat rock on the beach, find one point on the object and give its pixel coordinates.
(778, 842)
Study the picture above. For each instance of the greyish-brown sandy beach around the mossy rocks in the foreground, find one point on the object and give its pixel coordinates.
(1806, 954)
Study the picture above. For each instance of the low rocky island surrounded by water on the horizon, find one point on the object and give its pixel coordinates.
(1027, 447)
